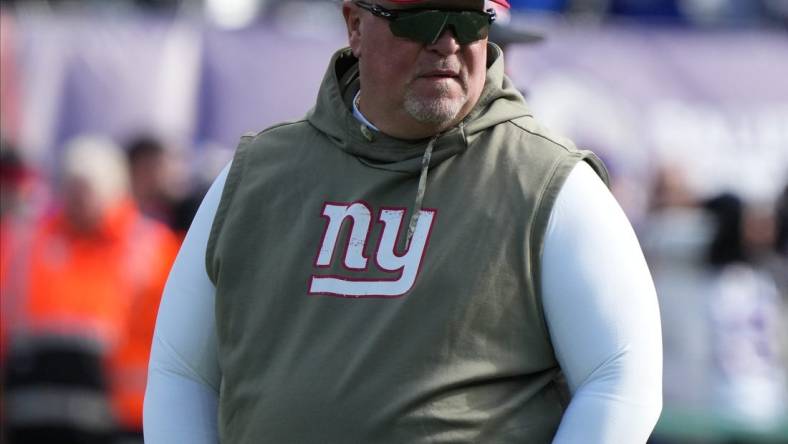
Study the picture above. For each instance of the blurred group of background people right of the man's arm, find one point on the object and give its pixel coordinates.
(720, 265)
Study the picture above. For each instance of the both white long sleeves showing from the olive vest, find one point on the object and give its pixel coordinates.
(603, 320)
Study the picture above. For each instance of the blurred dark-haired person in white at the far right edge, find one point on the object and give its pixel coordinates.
(744, 309)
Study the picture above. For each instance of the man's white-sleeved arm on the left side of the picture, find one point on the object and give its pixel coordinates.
(181, 398)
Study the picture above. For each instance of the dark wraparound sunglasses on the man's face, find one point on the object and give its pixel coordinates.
(427, 25)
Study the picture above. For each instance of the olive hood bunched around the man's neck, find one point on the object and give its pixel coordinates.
(499, 102)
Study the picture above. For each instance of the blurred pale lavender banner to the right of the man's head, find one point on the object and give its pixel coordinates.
(713, 103)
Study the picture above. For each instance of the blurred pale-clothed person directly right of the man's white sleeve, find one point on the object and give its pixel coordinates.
(675, 238)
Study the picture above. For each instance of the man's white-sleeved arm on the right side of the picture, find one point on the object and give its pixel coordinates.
(601, 309)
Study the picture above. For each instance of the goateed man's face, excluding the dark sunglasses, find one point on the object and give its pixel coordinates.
(411, 89)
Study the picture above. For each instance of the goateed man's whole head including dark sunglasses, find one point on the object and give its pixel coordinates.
(420, 73)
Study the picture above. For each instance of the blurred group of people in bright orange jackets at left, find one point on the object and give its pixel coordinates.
(85, 255)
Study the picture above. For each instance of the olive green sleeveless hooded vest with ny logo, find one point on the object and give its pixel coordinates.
(335, 327)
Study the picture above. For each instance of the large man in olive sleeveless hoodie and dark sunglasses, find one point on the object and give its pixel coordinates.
(415, 261)
